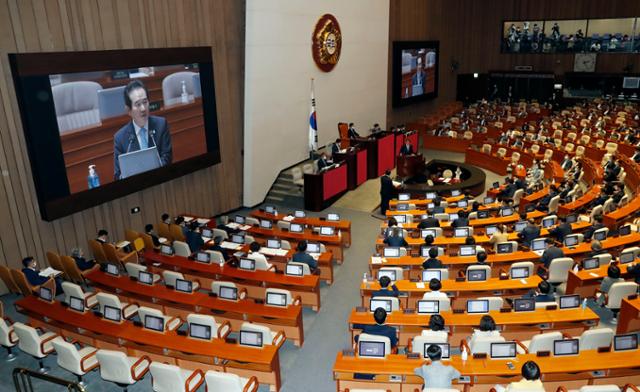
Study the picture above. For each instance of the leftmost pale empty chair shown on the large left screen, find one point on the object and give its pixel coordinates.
(76, 105)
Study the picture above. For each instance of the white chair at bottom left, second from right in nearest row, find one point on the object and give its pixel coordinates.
(171, 378)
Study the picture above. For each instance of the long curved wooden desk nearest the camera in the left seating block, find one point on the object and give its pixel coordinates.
(188, 353)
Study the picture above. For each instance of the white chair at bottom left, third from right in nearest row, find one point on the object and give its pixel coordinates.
(117, 367)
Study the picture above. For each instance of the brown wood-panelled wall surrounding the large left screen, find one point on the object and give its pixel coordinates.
(75, 25)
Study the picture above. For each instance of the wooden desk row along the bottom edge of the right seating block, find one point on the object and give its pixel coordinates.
(613, 368)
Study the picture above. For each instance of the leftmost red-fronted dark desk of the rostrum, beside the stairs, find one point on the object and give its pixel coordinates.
(324, 188)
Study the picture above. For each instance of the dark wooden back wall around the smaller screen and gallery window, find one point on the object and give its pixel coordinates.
(470, 32)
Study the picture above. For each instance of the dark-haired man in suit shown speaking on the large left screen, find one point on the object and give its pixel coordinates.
(143, 132)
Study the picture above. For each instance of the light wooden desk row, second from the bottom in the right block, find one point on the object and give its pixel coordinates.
(513, 325)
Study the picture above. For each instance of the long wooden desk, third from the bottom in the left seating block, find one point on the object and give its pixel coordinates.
(255, 282)
